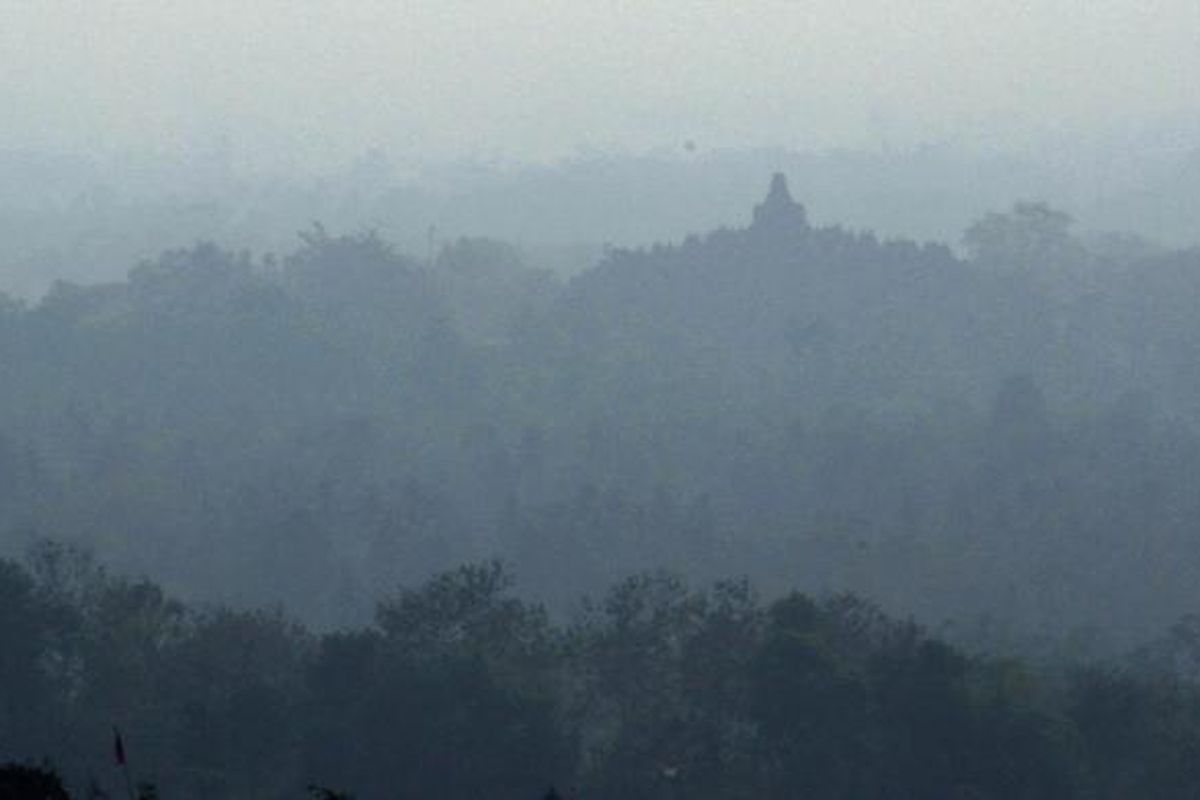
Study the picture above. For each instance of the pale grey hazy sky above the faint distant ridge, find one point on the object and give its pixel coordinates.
(529, 81)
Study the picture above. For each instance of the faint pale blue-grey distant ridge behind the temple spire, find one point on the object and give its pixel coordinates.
(91, 218)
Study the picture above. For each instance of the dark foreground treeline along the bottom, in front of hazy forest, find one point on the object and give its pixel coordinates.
(460, 689)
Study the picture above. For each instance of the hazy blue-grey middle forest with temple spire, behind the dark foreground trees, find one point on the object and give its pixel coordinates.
(1007, 442)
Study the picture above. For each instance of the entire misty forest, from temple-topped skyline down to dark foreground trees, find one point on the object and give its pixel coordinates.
(781, 510)
